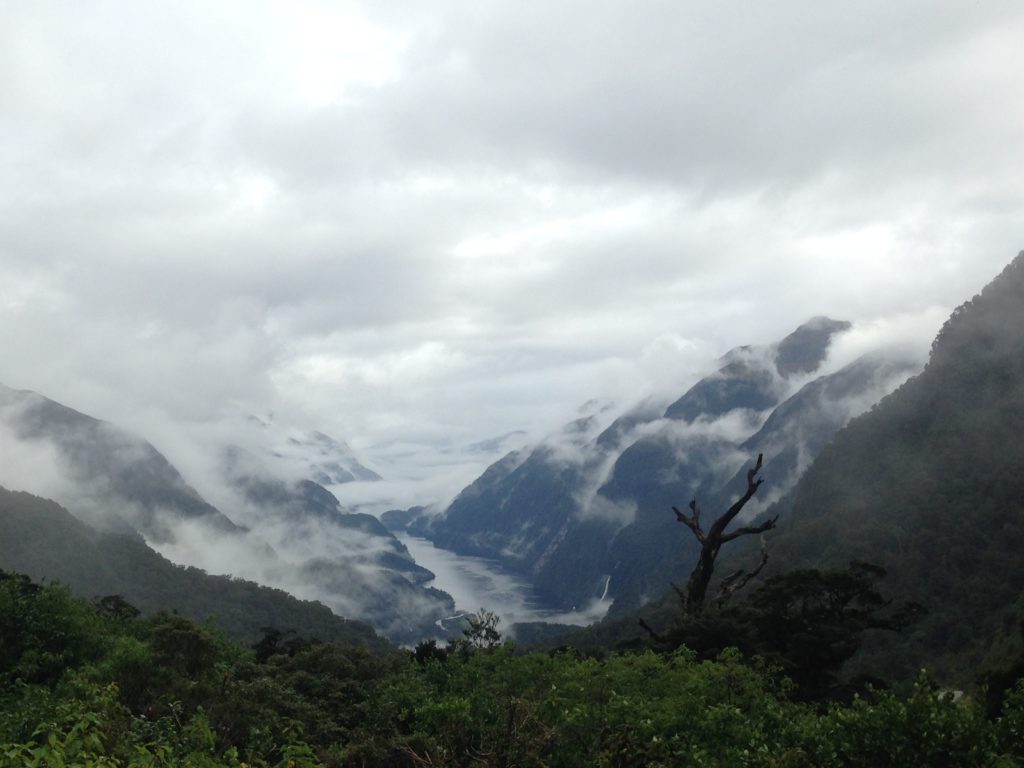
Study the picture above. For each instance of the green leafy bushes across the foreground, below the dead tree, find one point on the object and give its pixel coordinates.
(95, 685)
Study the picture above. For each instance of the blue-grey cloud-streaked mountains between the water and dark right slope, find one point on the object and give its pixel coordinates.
(587, 514)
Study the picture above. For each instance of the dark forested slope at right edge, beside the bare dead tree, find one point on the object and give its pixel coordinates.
(930, 486)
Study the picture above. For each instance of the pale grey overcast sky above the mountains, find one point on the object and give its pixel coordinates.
(420, 225)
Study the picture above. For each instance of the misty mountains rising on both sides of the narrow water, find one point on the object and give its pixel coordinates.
(873, 460)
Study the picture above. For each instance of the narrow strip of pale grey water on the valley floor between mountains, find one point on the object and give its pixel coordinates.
(478, 583)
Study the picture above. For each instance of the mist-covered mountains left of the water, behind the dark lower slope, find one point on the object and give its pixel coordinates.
(282, 529)
